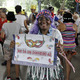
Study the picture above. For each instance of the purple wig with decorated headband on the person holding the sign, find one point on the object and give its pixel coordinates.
(35, 27)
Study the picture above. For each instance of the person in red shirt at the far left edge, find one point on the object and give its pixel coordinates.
(3, 20)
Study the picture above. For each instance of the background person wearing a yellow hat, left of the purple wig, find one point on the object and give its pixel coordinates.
(33, 14)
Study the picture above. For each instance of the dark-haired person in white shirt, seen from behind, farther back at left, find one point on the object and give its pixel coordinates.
(21, 19)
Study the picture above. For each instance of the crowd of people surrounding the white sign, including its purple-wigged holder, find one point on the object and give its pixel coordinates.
(63, 26)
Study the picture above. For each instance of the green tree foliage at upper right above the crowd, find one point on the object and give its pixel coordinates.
(70, 4)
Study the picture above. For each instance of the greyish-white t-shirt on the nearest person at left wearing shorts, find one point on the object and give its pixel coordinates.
(10, 29)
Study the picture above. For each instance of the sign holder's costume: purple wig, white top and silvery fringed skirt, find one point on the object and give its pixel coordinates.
(46, 73)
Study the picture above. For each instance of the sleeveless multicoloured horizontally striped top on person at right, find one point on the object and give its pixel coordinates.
(69, 37)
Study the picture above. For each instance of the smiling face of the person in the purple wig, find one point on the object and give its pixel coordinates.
(44, 22)
